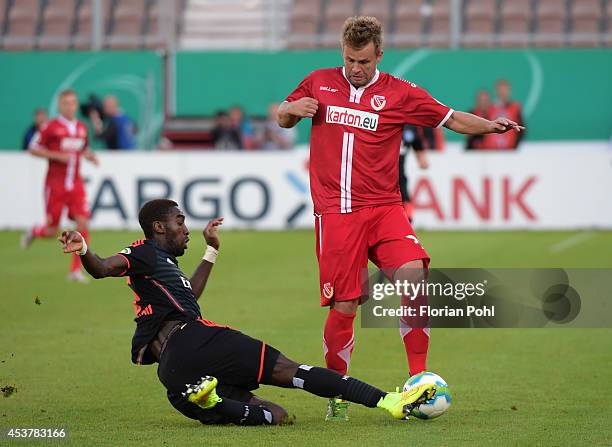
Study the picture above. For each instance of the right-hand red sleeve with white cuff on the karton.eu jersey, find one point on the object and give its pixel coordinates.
(421, 109)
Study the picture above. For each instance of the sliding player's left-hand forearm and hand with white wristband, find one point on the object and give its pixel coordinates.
(73, 242)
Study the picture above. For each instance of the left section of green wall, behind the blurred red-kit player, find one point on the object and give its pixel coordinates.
(33, 79)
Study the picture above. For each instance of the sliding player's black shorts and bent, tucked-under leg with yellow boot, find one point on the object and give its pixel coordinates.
(218, 376)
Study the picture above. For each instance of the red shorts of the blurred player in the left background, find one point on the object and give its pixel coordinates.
(57, 198)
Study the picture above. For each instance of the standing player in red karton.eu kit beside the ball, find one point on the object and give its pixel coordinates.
(358, 114)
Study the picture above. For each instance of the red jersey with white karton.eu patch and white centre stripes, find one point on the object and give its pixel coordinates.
(356, 136)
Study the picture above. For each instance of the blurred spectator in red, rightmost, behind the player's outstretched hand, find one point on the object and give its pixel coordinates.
(507, 108)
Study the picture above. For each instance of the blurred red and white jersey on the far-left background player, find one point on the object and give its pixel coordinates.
(62, 135)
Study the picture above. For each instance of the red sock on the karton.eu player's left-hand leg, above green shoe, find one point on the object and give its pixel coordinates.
(338, 340)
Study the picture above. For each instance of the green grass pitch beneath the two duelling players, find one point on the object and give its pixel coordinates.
(69, 356)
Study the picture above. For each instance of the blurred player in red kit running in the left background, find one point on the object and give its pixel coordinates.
(63, 141)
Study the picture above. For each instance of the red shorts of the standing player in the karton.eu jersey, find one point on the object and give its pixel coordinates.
(345, 242)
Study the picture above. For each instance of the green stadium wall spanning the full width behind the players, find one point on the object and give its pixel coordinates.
(566, 94)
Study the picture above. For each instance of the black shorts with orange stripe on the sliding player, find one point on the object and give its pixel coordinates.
(240, 363)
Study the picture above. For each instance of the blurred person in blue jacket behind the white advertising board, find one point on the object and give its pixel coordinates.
(114, 127)
